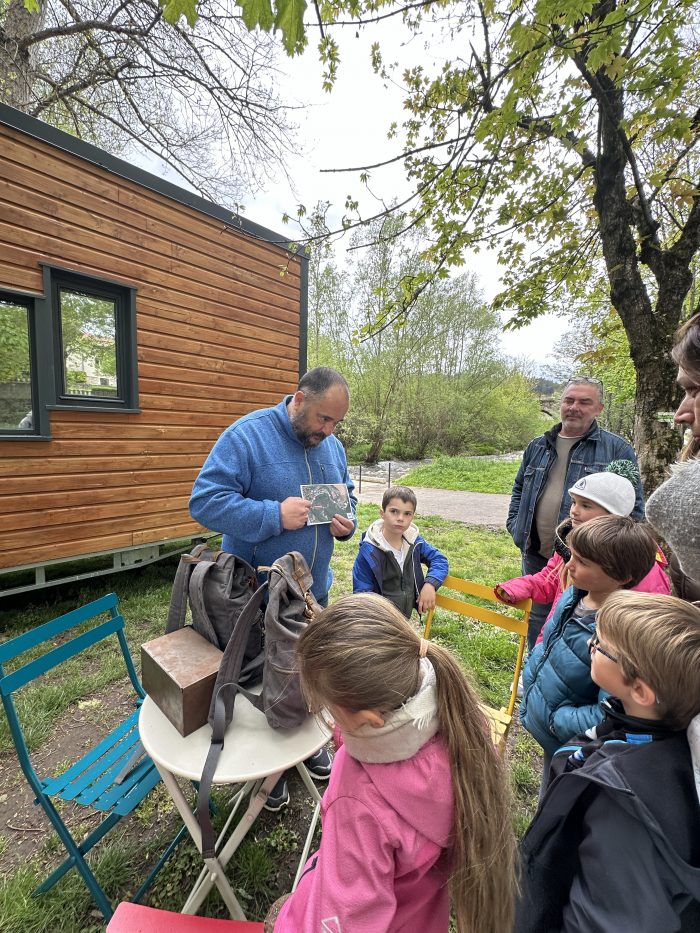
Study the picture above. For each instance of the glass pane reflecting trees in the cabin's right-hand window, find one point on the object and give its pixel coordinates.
(88, 342)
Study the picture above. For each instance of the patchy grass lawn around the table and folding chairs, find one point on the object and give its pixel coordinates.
(475, 553)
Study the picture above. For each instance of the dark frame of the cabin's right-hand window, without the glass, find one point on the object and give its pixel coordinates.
(124, 298)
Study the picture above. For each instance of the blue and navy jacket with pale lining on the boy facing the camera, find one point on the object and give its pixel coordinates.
(370, 567)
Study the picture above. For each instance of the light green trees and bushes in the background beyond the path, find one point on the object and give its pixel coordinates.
(441, 384)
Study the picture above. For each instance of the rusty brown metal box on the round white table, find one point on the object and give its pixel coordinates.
(178, 671)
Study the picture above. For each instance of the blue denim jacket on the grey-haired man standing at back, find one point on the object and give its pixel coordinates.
(591, 454)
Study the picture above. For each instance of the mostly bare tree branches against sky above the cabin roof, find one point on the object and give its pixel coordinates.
(194, 89)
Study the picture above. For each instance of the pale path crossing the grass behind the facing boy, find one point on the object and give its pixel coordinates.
(472, 508)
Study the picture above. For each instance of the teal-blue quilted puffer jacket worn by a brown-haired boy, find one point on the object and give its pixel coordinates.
(559, 697)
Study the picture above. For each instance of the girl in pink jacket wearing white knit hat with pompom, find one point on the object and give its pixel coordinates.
(606, 493)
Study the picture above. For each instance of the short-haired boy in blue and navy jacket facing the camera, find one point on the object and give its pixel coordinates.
(392, 553)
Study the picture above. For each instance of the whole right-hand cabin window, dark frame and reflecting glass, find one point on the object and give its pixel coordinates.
(94, 342)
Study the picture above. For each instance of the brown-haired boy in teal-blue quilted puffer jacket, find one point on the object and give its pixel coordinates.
(559, 697)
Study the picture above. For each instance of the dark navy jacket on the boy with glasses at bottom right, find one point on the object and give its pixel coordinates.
(615, 843)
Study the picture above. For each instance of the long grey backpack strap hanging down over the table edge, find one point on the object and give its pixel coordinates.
(221, 711)
